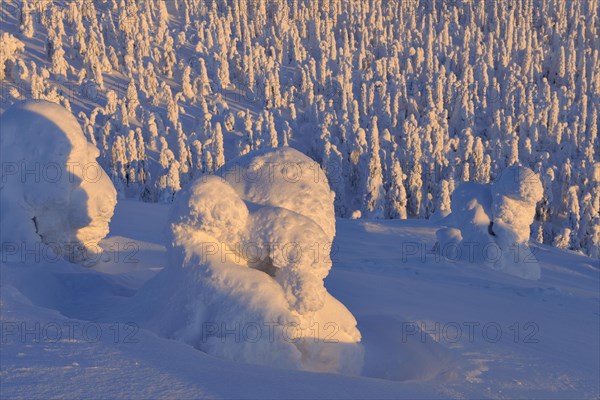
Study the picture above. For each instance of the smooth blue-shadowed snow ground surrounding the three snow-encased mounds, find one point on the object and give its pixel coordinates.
(487, 334)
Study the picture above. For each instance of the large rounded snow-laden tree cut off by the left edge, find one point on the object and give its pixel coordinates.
(52, 191)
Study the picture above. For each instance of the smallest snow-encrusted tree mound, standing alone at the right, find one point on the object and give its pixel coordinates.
(490, 224)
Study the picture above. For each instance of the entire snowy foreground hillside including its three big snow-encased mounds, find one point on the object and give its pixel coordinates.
(247, 275)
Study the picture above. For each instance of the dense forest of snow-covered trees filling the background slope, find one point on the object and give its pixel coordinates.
(399, 101)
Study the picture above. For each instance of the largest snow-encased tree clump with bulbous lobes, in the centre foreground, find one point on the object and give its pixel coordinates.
(248, 254)
